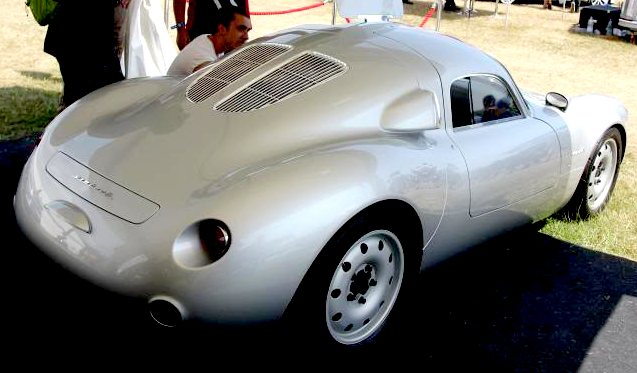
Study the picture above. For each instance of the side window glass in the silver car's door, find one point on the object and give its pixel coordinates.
(480, 99)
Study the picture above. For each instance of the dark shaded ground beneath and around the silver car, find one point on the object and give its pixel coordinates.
(525, 302)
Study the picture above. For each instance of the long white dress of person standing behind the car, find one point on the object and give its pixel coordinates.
(148, 49)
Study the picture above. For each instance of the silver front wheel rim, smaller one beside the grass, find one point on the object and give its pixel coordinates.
(602, 175)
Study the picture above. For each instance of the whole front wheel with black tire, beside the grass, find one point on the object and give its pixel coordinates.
(598, 180)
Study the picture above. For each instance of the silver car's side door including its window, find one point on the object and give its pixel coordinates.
(510, 157)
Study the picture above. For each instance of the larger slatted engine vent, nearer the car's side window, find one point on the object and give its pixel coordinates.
(304, 72)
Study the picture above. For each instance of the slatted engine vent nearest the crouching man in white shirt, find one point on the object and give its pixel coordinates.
(233, 68)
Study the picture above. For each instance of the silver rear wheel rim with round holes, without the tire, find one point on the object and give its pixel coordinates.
(364, 287)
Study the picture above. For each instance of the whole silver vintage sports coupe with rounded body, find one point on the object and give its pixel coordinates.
(309, 176)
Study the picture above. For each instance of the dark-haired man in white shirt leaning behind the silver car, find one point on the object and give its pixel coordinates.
(232, 32)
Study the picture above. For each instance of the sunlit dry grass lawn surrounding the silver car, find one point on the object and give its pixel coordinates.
(538, 47)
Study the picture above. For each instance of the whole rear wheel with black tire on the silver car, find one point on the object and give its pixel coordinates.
(354, 285)
